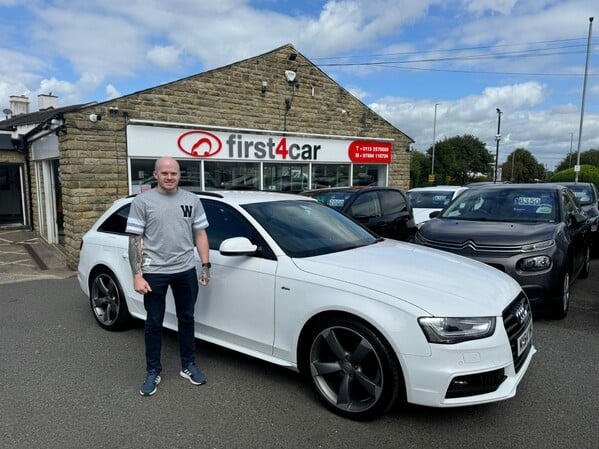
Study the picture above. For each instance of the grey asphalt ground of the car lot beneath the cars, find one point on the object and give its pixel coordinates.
(66, 383)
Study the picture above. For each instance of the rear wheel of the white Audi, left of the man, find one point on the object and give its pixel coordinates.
(107, 301)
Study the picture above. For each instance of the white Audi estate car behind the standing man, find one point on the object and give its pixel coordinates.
(298, 284)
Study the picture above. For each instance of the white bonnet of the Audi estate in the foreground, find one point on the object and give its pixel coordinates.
(440, 283)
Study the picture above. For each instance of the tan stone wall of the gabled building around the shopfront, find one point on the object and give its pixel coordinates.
(93, 155)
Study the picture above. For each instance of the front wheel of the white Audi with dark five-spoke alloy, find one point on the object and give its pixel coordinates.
(353, 370)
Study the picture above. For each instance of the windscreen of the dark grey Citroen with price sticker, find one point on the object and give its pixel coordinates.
(509, 205)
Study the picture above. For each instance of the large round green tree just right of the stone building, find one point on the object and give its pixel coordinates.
(460, 159)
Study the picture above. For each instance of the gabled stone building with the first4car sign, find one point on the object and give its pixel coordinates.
(273, 121)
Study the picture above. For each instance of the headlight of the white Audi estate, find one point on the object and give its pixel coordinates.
(456, 330)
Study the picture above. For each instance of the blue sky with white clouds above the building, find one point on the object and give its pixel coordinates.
(435, 69)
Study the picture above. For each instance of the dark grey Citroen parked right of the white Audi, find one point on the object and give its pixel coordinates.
(536, 233)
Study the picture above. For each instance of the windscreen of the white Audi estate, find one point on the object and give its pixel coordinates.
(309, 228)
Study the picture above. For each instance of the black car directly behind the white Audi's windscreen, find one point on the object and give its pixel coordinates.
(384, 210)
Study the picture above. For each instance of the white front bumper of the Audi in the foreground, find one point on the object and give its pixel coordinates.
(478, 371)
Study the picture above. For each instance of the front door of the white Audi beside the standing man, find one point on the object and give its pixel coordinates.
(236, 308)
